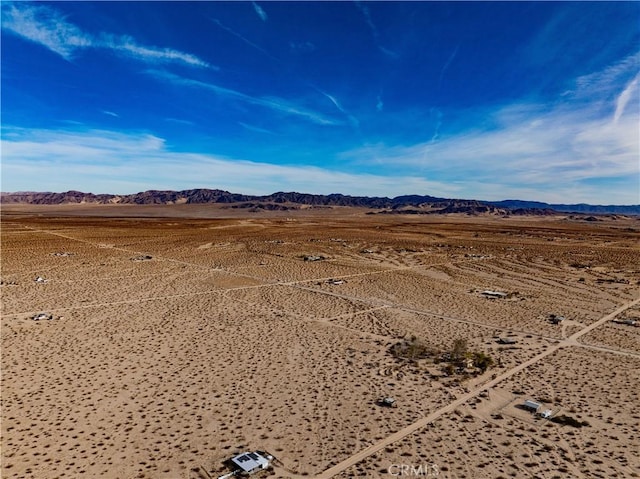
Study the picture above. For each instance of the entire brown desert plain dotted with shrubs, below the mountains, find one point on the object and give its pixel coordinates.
(168, 339)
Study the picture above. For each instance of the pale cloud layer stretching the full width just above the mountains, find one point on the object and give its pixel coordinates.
(117, 162)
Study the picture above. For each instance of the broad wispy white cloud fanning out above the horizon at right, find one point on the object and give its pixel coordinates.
(547, 155)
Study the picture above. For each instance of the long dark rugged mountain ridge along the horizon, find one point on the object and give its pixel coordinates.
(406, 204)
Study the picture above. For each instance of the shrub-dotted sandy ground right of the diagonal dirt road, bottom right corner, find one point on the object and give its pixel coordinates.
(491, 437)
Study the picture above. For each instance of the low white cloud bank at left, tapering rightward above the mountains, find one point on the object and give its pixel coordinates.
(115, 162)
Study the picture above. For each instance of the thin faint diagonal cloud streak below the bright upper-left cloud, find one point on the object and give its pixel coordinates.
(273, 103)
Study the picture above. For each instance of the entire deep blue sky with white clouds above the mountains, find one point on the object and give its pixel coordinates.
(496, 100)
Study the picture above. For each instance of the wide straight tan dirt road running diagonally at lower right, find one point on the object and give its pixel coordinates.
(570, 341)
